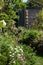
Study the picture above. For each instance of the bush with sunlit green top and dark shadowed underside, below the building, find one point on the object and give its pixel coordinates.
(33, 38)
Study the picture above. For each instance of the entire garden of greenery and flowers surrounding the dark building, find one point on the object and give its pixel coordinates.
(19, 45)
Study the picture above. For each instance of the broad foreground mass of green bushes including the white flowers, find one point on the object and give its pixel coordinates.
(13, 54)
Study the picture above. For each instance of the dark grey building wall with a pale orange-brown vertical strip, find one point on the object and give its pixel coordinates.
(28, 16)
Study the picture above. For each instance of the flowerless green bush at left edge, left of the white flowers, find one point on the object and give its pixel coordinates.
(6, 42)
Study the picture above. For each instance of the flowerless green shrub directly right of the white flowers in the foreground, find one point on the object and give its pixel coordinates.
(30, 57)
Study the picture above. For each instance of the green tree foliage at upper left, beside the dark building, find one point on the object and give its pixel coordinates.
(8, 12)
